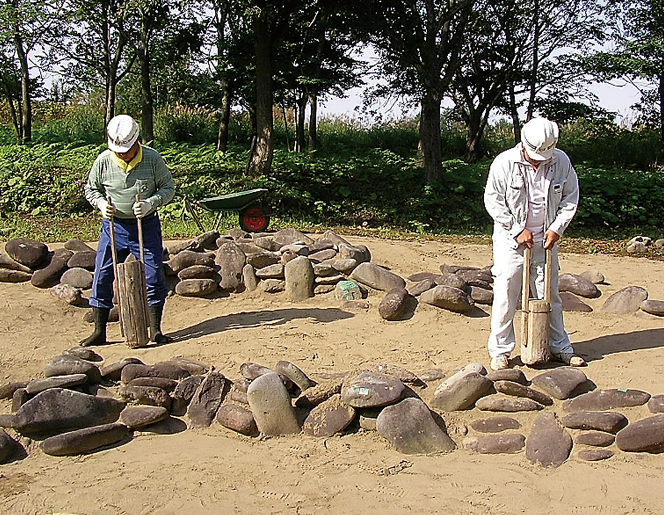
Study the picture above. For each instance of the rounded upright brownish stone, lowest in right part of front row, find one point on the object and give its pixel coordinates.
(548, 444)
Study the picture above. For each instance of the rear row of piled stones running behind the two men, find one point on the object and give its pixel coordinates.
(290, 261)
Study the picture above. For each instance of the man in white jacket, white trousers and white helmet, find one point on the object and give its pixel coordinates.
(532, 194)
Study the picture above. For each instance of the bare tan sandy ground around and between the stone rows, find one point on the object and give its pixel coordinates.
(214, 471)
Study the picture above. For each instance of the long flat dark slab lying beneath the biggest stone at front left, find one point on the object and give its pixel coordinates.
(85, 440)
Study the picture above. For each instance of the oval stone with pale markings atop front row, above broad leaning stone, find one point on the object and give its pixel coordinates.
(371, 389)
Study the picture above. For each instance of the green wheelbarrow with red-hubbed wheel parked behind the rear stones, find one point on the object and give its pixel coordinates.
(252, 215)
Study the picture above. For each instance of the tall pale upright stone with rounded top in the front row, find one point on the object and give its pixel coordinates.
(271, 405)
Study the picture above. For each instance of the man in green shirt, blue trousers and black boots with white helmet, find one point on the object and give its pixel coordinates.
(120, 173)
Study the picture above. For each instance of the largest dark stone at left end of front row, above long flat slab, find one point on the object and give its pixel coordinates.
(56, 410)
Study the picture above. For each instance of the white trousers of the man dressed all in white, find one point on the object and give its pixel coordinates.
(508, 277)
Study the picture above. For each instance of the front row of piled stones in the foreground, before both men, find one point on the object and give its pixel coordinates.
(81, 406)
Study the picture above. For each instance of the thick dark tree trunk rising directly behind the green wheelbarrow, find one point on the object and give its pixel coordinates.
(261, 158)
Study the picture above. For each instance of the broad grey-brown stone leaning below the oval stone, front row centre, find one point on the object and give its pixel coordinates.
(411, 429)
